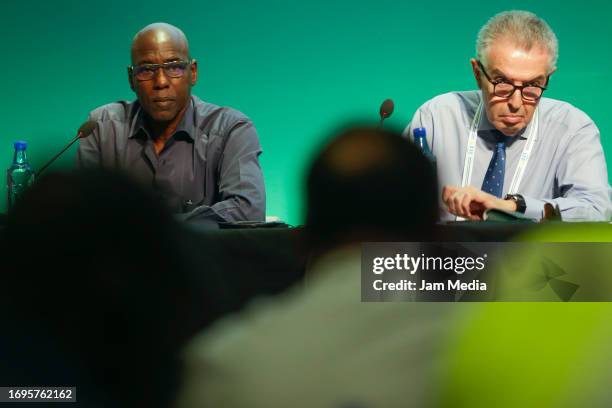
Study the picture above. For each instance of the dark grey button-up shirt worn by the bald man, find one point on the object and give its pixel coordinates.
(208, 170)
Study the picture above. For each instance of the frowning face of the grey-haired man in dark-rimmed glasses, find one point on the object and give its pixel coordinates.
(511, 63)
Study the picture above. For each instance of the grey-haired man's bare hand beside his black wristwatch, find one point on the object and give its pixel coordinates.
(471, 203)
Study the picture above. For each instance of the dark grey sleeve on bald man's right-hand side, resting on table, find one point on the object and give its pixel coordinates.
(241, 183)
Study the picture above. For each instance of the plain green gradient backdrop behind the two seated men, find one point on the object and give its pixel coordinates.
(297, 69)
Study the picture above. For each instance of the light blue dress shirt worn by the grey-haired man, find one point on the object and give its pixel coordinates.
(566, 167)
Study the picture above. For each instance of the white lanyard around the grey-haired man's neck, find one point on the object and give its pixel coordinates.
(471, 151)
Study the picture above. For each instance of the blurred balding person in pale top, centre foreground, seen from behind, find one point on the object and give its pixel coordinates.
(318, 345)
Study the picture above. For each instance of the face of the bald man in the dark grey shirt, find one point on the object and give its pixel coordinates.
(162, 97)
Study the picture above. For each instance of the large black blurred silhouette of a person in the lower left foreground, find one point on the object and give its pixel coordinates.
(94, 292)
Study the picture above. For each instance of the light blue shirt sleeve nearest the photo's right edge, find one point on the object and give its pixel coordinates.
(581, 181)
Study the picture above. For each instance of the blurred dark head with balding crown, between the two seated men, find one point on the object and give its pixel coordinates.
(370, 184)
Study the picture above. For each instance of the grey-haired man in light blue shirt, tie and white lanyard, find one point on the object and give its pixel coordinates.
(507, 147)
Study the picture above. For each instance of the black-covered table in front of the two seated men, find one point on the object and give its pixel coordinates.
(233, 266)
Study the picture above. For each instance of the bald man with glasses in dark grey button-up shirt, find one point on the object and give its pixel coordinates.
(202, 160)
